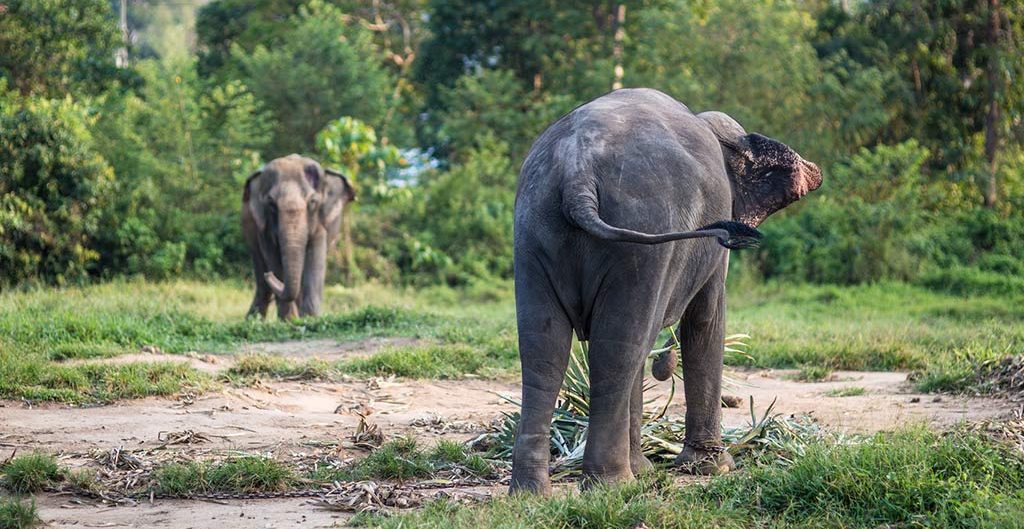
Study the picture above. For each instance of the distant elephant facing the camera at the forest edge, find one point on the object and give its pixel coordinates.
(291, 215)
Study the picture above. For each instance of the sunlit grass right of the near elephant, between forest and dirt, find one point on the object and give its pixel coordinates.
(876, 328)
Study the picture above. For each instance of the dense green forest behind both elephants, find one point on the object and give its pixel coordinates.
(129, 127)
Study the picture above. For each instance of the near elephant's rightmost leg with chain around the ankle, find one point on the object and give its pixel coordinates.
(703, 335)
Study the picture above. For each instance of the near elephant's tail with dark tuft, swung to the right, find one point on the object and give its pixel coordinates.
(580, 206)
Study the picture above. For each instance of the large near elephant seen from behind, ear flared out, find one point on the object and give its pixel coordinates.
(600, 194)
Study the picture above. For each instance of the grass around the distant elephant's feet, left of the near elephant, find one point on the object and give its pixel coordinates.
(45, 330)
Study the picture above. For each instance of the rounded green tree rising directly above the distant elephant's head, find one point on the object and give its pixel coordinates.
(324, 68)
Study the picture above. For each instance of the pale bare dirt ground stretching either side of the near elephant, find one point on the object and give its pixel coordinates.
(296, 420)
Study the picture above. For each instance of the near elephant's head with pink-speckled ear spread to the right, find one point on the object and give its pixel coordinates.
(766, 175)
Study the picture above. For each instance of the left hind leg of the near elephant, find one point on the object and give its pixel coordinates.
(545, 338)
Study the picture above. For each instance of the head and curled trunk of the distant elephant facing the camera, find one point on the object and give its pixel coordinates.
(290, 200)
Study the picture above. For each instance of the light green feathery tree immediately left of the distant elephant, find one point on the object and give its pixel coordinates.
(182, 151)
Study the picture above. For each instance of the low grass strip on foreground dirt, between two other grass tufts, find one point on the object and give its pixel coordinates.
(248, 474)
